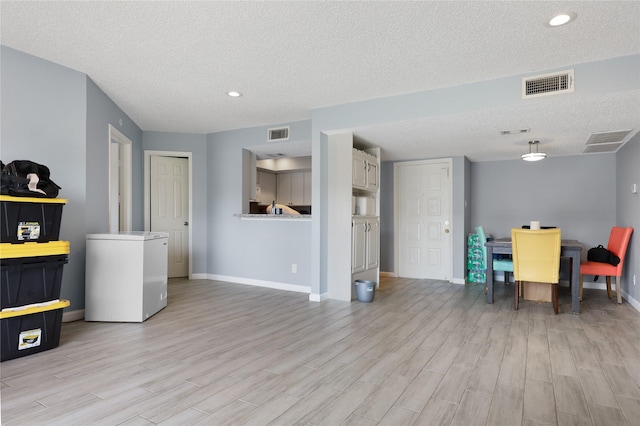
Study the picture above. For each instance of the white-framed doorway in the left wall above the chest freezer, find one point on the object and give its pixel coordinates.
(119, 181)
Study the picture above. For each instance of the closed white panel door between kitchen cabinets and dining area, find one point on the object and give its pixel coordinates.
(424, 219)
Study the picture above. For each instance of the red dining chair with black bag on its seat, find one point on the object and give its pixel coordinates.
(618, 243)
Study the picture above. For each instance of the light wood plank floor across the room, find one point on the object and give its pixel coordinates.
(424, 352)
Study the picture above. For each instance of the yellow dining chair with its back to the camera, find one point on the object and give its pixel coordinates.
(536, 257)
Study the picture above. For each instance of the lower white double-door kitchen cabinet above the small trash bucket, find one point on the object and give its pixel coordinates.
(365, 243)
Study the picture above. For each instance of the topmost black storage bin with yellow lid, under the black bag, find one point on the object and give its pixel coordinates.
(27, 219)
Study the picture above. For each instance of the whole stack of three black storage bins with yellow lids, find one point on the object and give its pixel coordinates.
(32, 259)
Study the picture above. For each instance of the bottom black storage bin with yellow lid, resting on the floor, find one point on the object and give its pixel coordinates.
(30, 331)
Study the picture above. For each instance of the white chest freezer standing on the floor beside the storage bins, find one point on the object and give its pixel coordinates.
(126, 276)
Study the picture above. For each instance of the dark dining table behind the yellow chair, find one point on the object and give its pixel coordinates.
(569, 248)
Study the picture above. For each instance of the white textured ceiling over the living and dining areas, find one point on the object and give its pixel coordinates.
(168, 65)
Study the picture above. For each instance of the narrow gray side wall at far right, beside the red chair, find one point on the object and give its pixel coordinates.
(628, 210)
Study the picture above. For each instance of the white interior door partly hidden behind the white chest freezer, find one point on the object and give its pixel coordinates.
(169, 202)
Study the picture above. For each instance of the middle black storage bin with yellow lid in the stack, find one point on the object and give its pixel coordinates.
(31, 272)
